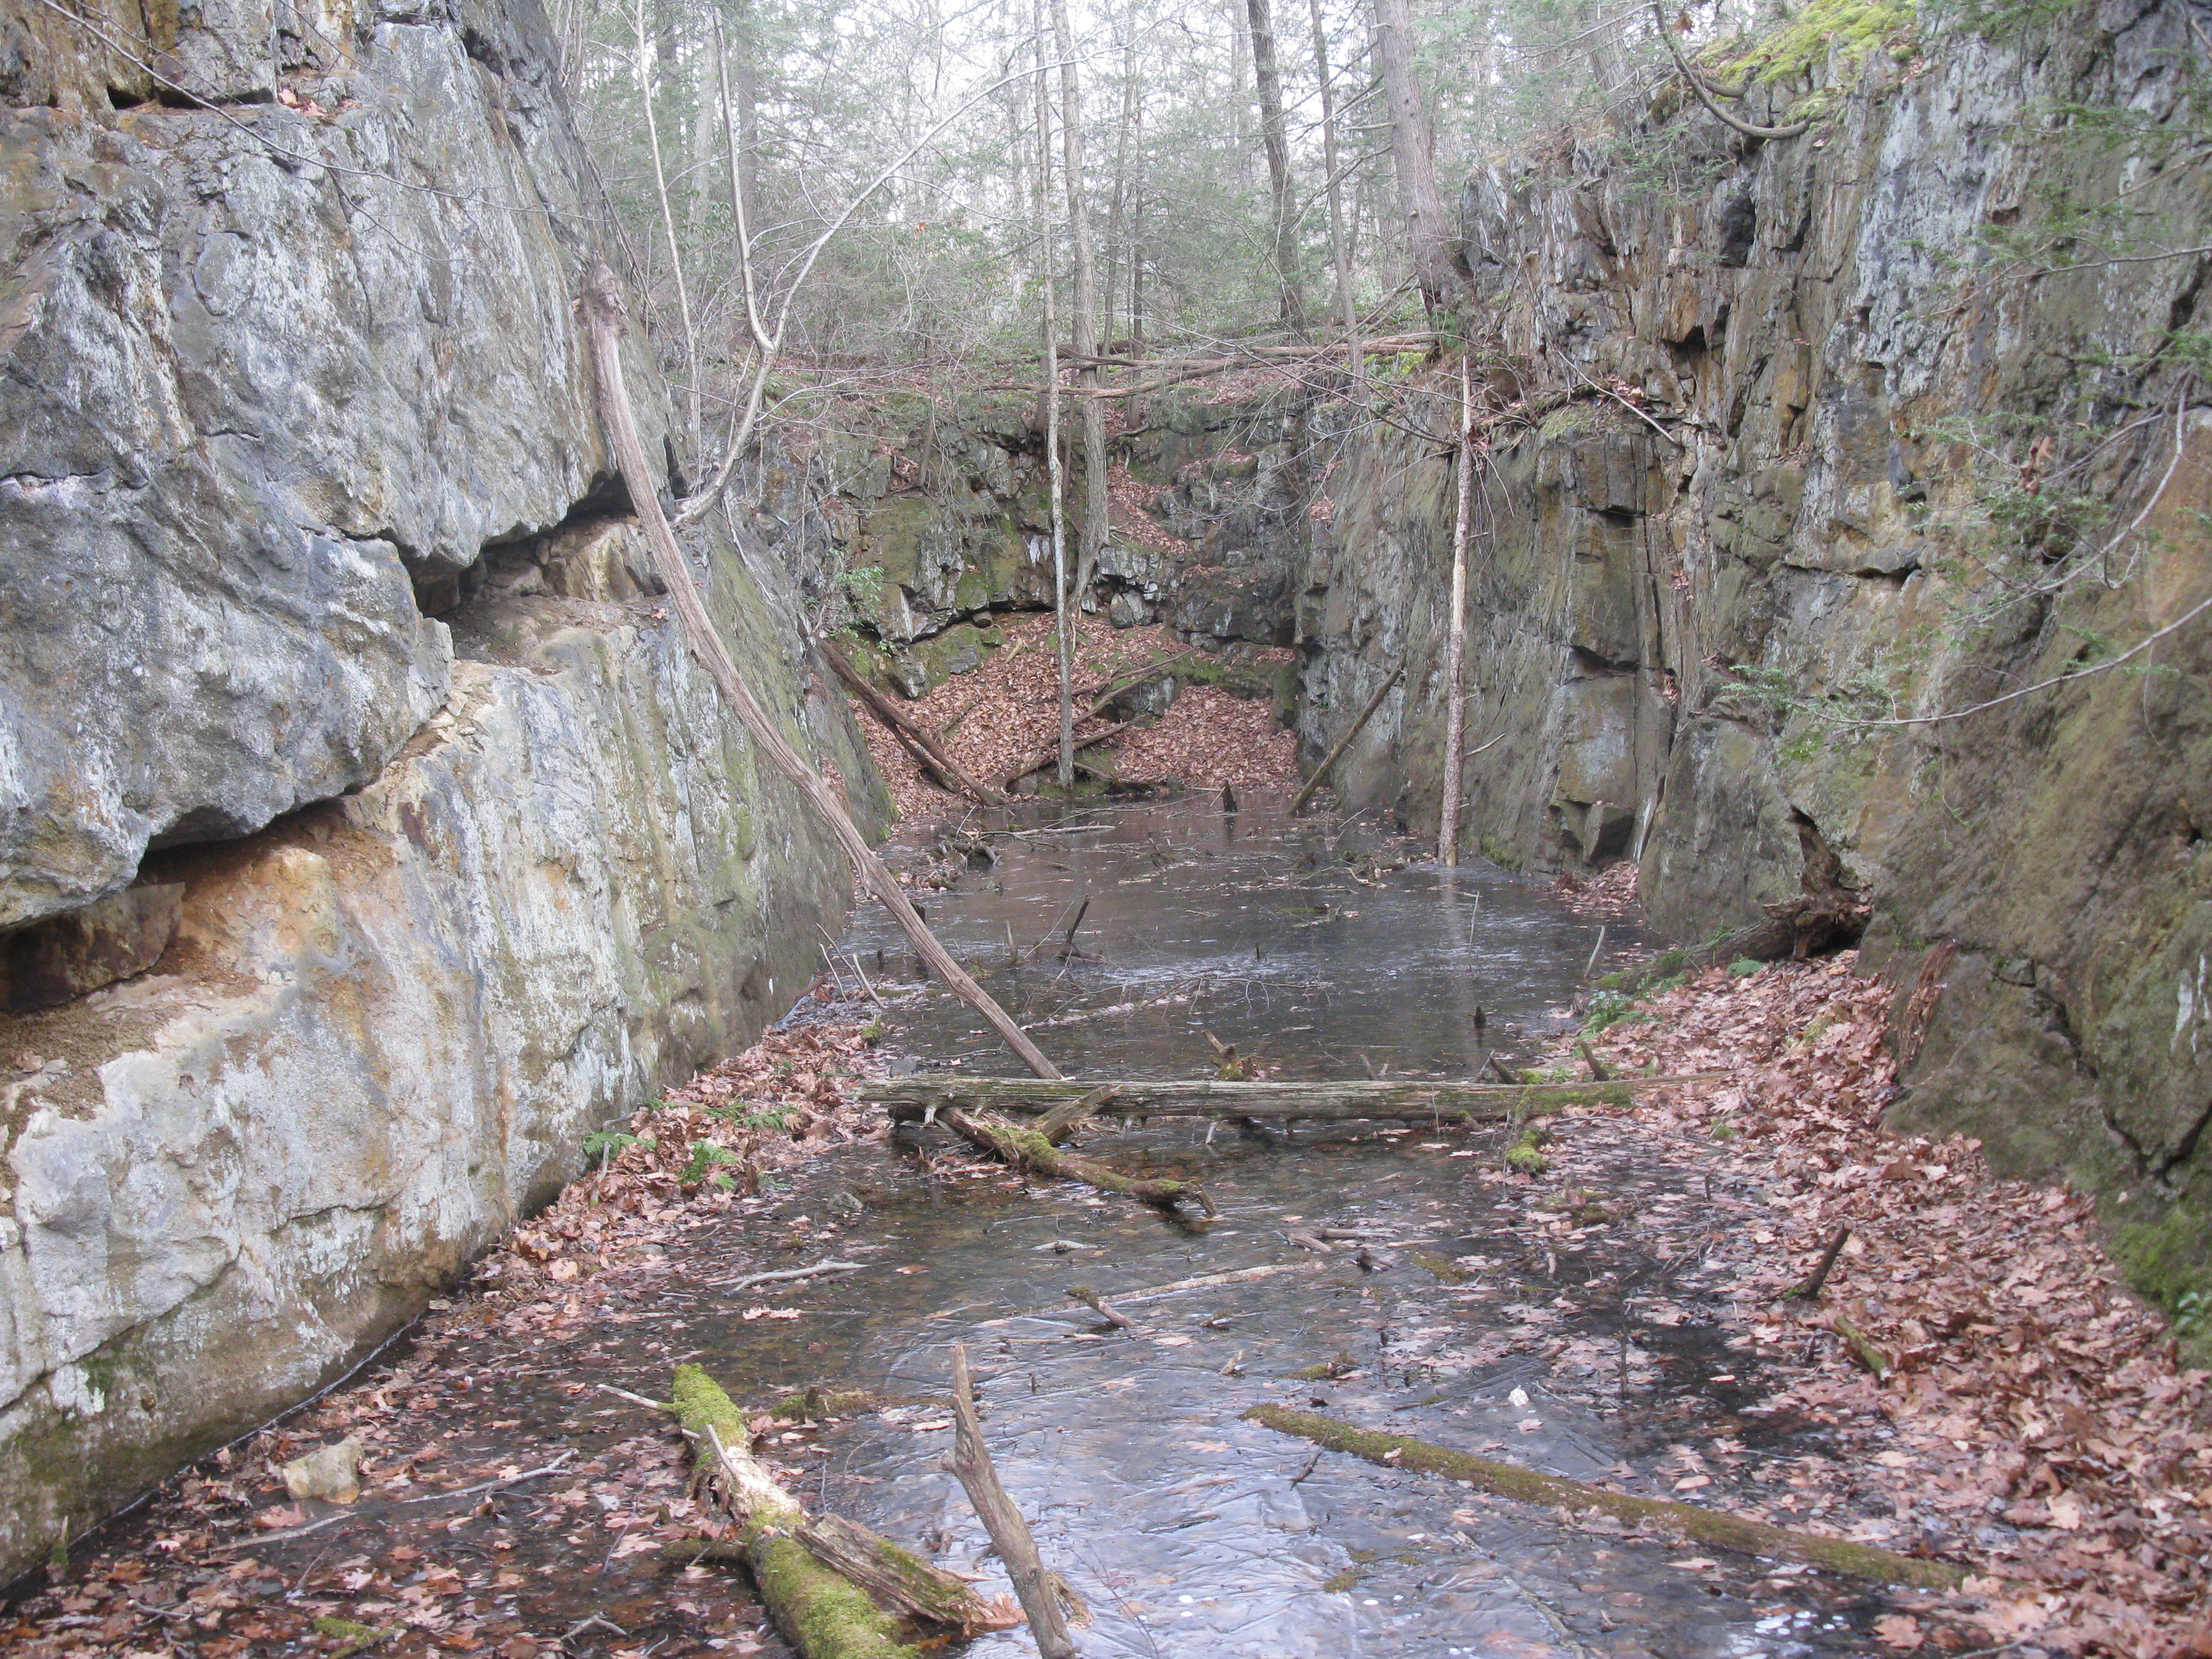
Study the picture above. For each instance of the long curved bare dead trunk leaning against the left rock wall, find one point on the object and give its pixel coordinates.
(603, 313)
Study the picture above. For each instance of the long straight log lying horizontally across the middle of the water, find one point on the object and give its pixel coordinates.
(1408, 1098)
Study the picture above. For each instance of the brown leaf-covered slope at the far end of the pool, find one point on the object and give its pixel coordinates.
(1008, 713)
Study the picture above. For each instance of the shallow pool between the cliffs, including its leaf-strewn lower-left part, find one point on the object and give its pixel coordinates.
(1481, 1317)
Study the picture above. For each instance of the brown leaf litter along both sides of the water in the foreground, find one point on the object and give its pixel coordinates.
(2025, 1415)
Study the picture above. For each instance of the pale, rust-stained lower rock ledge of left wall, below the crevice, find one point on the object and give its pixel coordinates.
(384, 1032)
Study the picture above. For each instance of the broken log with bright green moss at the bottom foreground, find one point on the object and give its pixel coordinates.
(822, 1580)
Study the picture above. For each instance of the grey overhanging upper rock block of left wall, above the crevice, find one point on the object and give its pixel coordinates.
(267, 368)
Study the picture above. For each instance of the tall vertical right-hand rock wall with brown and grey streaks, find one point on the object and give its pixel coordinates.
(1811, 441)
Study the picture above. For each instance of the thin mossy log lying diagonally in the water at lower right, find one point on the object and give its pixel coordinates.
(1530, 1488)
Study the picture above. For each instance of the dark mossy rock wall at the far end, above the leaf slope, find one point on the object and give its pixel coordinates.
(948, 505)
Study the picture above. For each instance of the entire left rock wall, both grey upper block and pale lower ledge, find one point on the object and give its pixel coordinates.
(331, 687)
